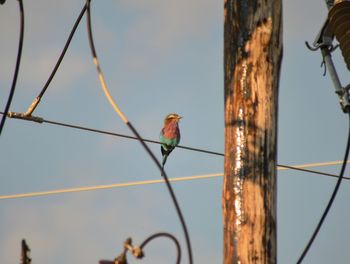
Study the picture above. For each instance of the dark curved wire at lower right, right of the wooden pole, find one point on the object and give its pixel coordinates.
(329, 205)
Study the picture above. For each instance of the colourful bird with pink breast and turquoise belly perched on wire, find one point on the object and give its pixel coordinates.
(169, 135)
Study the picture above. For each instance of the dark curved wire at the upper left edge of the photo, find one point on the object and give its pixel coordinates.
(18, 62)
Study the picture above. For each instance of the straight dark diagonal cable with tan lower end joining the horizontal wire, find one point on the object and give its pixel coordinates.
(58, 63)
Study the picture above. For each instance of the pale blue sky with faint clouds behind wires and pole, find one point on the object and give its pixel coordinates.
(157, 57)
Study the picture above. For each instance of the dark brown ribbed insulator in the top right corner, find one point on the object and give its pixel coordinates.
(339, 22)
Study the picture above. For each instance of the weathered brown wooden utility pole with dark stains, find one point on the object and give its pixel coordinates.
(252, 59)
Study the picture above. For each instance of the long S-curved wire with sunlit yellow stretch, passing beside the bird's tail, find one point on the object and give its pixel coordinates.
(126, 121)
